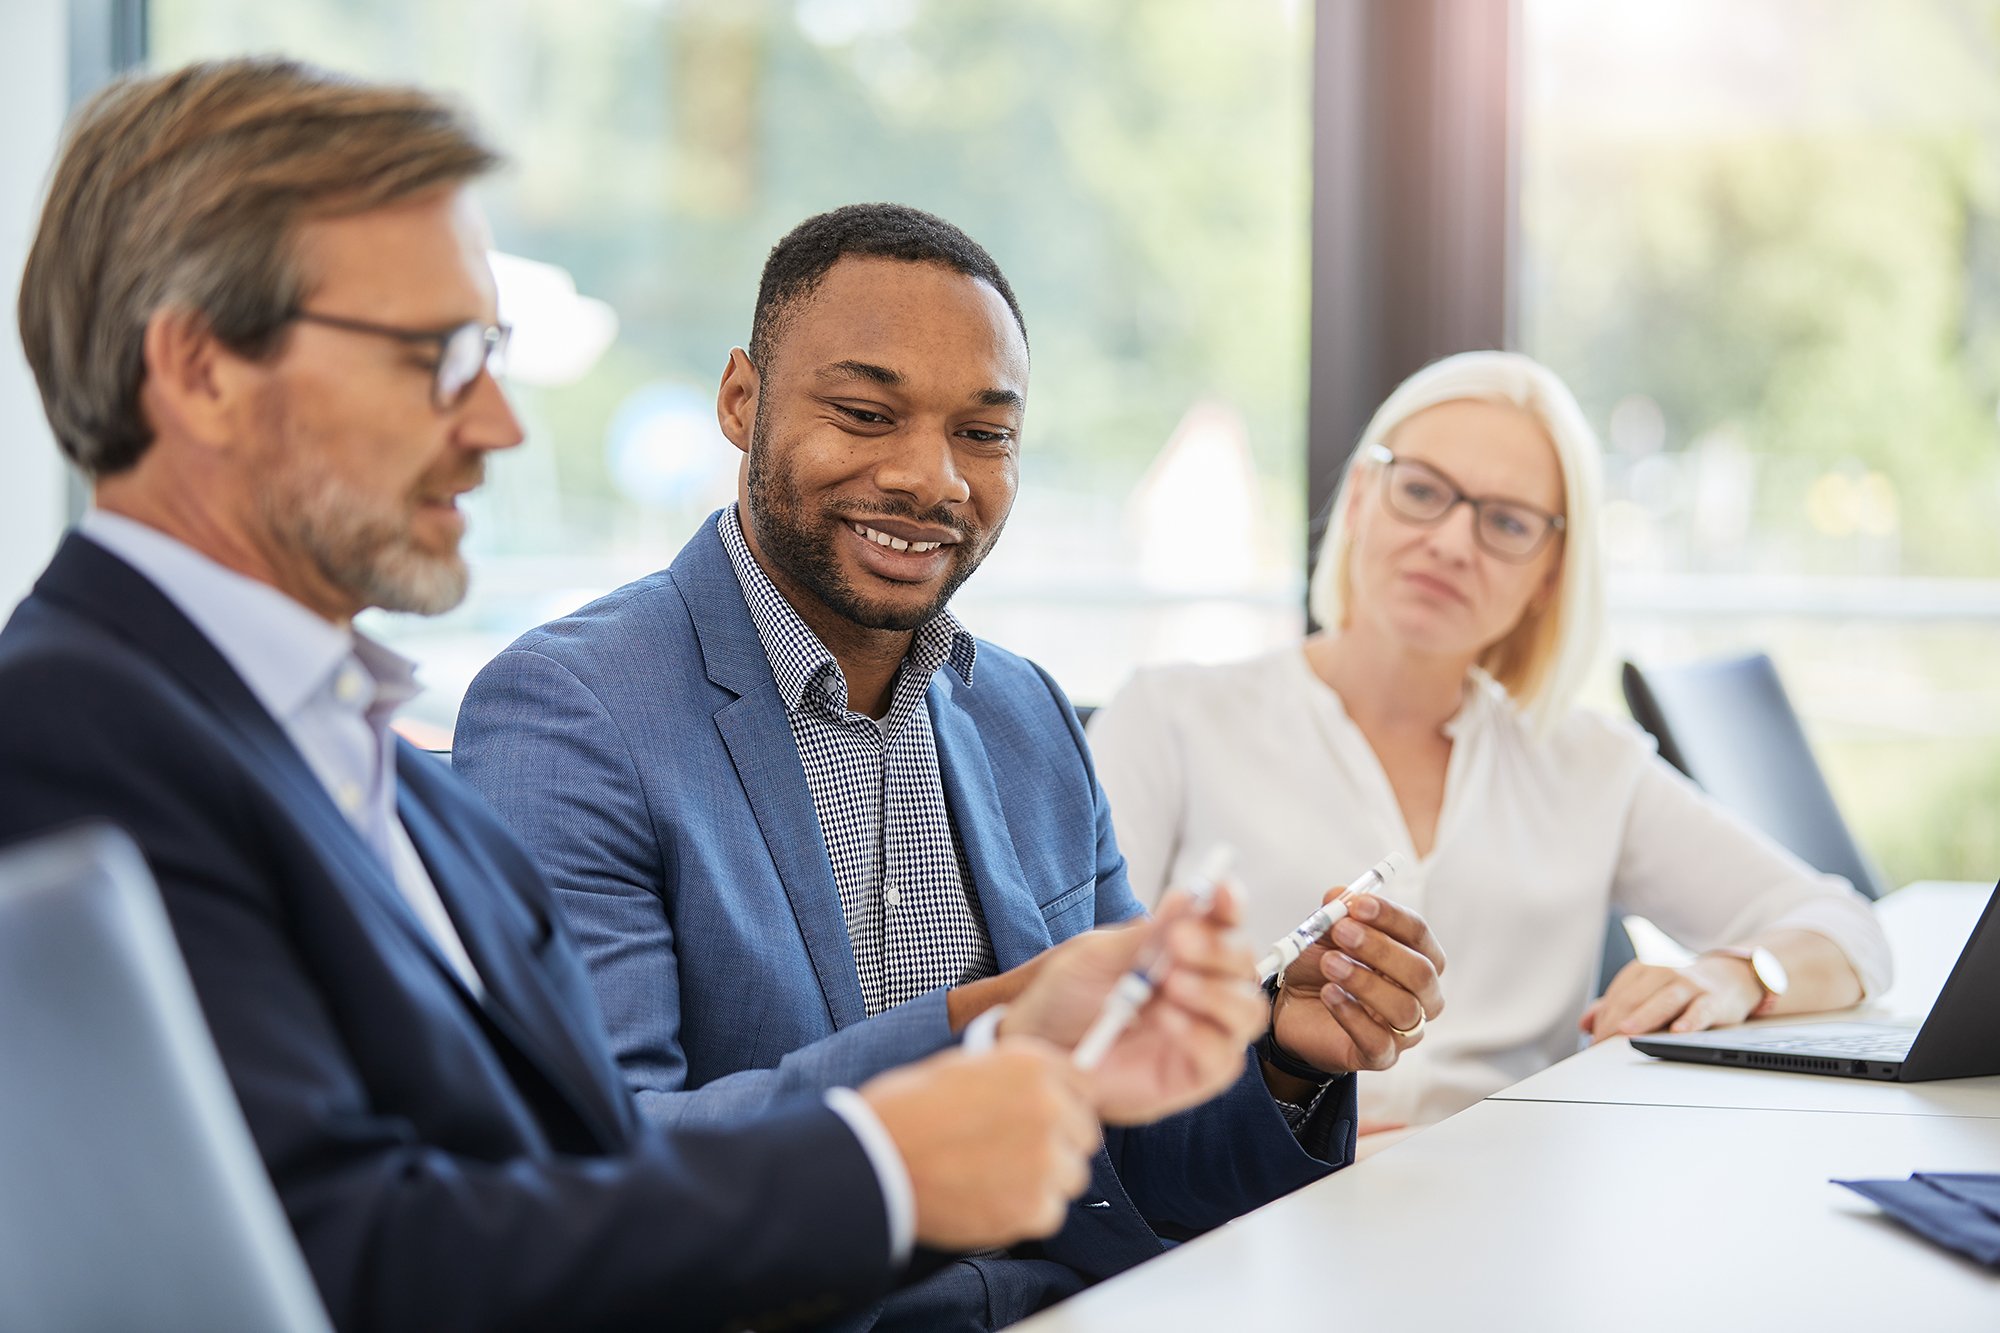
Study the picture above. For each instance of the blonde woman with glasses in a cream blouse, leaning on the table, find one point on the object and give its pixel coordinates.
(1463, 593)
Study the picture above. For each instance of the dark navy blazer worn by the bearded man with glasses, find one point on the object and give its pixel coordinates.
(447, 1162)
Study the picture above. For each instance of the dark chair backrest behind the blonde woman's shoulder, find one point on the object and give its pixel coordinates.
(1731, 728)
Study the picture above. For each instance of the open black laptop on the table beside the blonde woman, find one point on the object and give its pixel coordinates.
(1961, 1038)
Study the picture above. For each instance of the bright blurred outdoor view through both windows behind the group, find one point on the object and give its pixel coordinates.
(1759, 237)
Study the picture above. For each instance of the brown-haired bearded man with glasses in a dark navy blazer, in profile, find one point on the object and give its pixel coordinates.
(261, 317)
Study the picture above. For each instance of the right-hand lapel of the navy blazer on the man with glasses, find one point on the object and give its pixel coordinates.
(497, 930)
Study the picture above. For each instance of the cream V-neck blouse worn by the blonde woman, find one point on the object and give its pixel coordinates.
(1535, 842)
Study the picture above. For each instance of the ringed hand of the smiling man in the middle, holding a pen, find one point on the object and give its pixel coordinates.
(1361, 996)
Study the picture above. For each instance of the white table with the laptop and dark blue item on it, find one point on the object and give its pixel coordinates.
(1617, 1192)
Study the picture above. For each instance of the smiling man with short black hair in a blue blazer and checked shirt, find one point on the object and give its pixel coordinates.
(795, 812)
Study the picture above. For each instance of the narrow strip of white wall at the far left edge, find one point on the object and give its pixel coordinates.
(35, 61)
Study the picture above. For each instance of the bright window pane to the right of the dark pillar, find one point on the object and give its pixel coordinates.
(1763, 243)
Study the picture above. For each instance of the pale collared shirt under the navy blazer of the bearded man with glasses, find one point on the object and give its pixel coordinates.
(331, 690)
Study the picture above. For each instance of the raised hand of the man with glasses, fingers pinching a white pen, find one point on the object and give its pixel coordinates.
(1187, 1046)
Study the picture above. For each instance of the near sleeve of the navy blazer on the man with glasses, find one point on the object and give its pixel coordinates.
(695, 1230)
